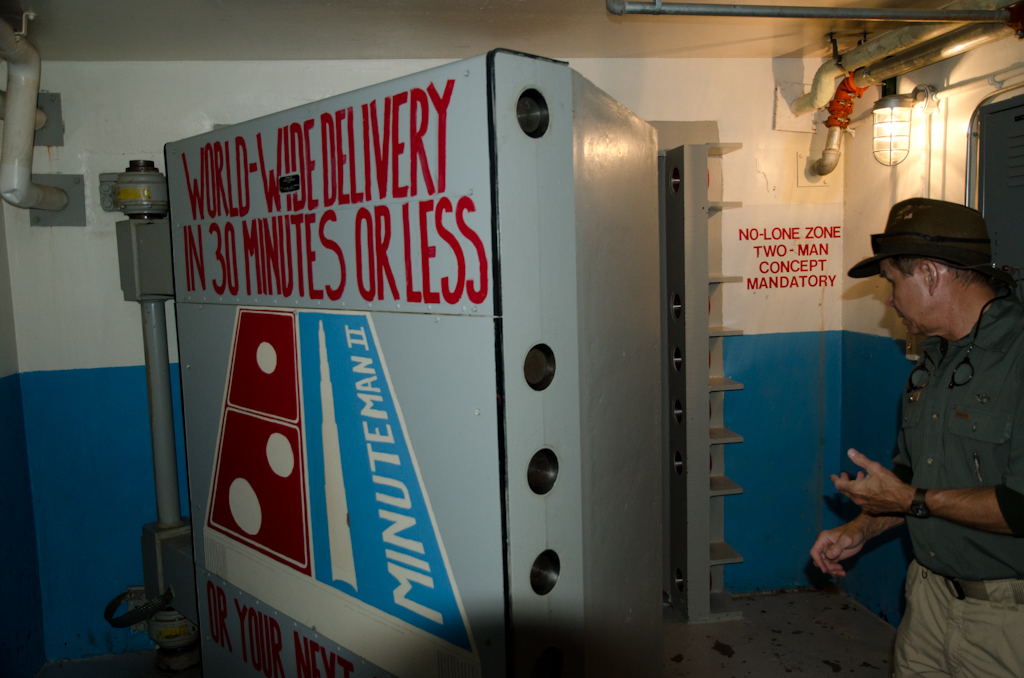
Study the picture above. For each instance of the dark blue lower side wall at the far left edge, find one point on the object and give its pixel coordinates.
(22, 651)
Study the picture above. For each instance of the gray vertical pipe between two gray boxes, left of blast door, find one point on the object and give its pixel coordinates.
(158, 379)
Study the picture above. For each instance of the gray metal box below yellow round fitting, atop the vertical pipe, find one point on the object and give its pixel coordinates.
(145, 259)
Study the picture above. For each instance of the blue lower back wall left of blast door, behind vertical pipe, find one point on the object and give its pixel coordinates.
(92, 464)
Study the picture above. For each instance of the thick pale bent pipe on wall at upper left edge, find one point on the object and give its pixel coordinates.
(16, 155)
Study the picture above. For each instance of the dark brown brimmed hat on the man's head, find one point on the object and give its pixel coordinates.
(934, 230)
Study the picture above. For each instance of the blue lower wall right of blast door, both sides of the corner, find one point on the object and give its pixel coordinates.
(807, 398)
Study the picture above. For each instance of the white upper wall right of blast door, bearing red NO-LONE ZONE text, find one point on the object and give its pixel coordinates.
(741, 96)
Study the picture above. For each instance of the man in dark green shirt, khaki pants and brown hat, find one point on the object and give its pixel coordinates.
(958, 480)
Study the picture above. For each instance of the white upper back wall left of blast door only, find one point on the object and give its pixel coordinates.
(69, 308)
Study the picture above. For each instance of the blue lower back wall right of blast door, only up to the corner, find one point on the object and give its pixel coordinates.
(789, 415)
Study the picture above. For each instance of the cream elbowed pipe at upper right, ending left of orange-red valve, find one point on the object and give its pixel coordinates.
(875, 50)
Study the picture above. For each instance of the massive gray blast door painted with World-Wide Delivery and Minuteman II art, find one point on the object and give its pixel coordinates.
(419, 343)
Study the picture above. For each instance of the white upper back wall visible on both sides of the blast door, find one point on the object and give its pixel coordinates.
(68, 306)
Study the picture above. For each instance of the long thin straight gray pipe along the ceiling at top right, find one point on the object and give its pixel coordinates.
(782, 12)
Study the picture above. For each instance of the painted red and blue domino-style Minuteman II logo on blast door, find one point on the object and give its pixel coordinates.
(316, 471)
